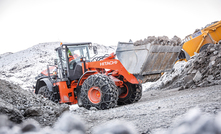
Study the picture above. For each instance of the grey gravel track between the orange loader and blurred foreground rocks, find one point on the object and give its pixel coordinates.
(157, 109)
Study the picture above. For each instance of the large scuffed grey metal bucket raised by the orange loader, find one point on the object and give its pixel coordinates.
(146, 62)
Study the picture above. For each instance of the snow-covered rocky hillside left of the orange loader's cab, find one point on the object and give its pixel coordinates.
(22, 67)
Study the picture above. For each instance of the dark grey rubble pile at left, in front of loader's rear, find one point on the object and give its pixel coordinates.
(19, 104)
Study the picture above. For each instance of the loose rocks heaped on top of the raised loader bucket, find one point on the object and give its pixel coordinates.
(163, 40)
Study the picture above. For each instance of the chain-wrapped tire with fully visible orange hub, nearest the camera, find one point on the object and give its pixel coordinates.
(99, 91)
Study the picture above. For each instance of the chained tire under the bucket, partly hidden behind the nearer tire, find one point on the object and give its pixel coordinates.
(133, 94)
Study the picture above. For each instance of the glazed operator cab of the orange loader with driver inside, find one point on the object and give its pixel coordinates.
(70, 58)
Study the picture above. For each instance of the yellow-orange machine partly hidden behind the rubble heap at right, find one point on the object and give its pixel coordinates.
(200, 40)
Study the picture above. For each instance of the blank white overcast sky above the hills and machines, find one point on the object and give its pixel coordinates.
(24, 23)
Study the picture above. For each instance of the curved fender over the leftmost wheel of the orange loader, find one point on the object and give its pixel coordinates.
(43, 82)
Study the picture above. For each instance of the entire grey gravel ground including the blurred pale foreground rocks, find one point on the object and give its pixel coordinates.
(158, 112)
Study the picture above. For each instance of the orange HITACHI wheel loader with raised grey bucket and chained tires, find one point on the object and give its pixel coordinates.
(105, 81)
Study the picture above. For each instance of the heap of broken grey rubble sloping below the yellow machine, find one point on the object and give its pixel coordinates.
(203, 69)
